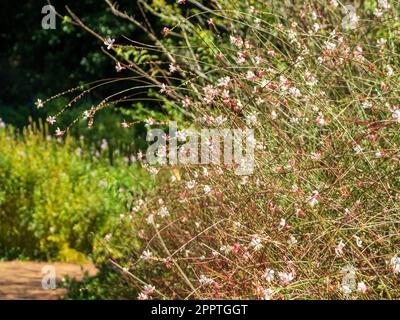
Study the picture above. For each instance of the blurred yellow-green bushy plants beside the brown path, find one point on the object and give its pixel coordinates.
(55, 201)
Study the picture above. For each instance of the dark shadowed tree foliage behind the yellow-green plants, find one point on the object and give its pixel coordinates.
(38, 64)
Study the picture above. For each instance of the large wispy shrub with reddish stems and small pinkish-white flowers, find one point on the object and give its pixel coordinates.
(319, 216)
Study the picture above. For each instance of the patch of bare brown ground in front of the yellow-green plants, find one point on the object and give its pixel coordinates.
(23, 279)
